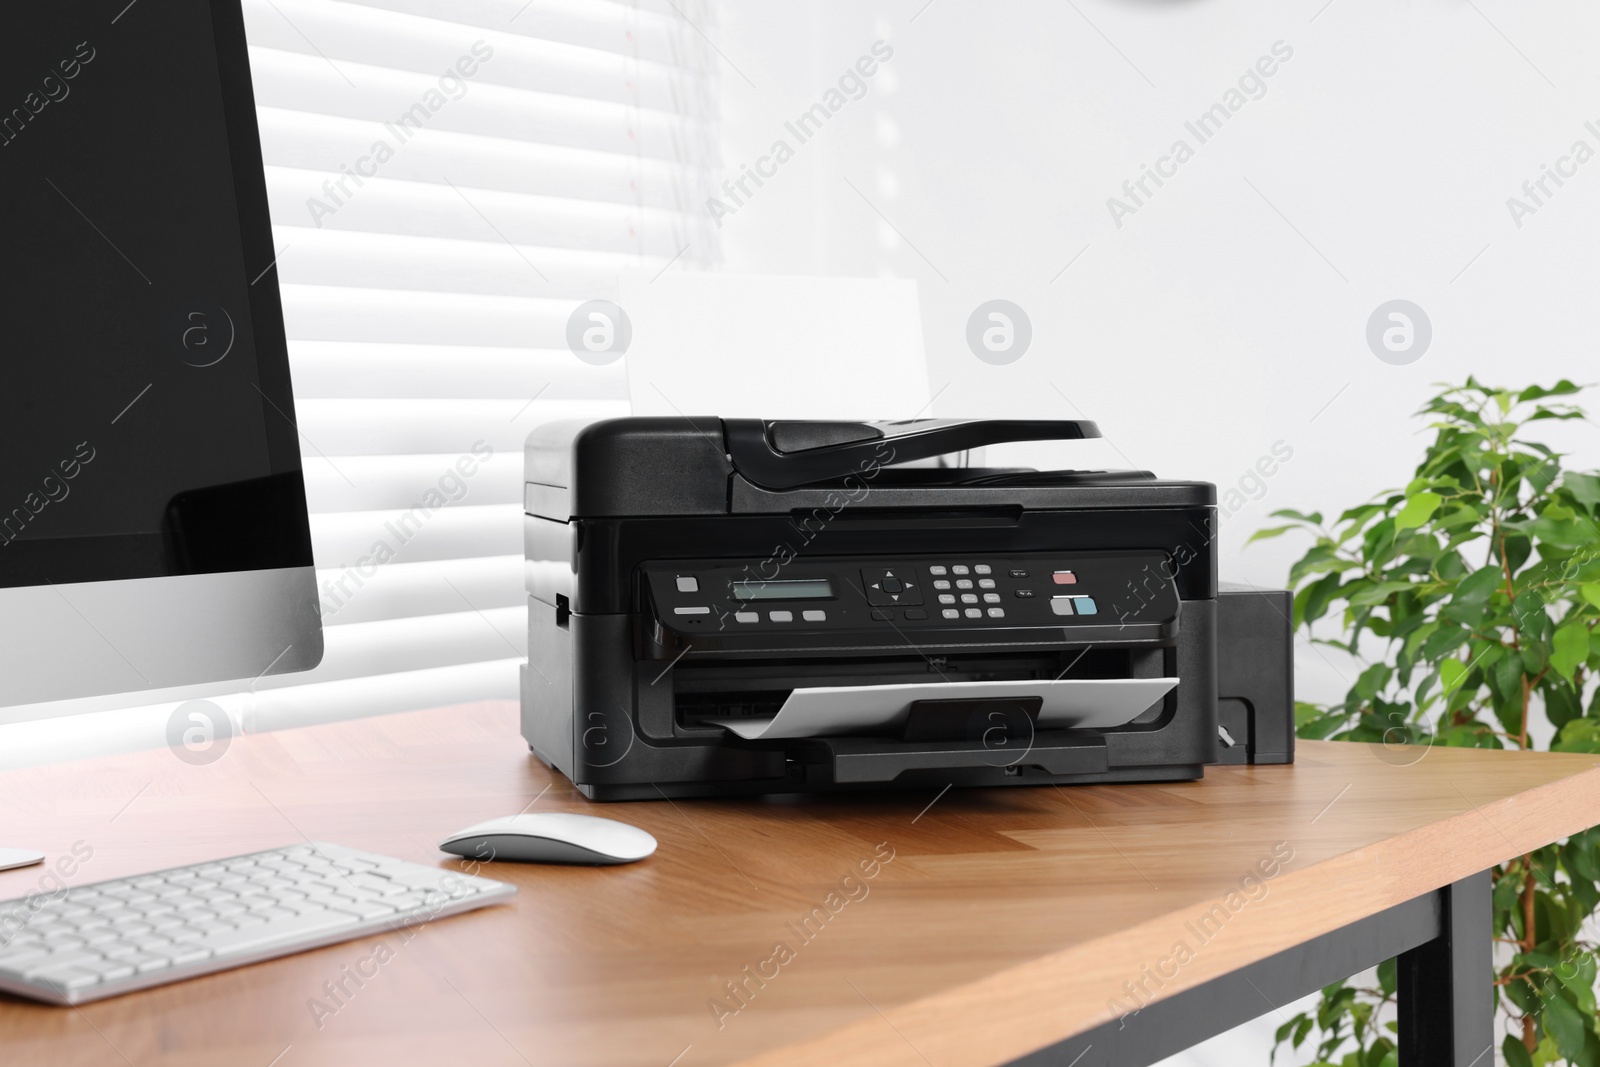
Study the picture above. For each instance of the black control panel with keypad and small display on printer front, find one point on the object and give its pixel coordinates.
(962, 591)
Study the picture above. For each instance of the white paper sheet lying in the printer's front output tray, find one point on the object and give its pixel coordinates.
(849, 709)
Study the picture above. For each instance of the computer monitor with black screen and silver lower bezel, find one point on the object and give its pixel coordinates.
(153, 510)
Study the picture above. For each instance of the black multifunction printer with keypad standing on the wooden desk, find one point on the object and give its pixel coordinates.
(726, 607)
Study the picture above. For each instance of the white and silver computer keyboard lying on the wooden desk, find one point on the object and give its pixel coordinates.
(118, 937)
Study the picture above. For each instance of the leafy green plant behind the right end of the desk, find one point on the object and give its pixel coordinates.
(1471, 599)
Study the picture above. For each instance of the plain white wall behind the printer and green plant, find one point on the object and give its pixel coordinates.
(1230, 311)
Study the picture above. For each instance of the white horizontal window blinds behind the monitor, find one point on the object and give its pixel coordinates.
(449, 180)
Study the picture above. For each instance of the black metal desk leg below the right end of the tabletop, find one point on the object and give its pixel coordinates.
(1447, 994)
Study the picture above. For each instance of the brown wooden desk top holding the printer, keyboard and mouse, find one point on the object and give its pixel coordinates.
(1006, 921)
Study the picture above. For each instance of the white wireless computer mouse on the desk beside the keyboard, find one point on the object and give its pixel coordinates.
(551, 837)
